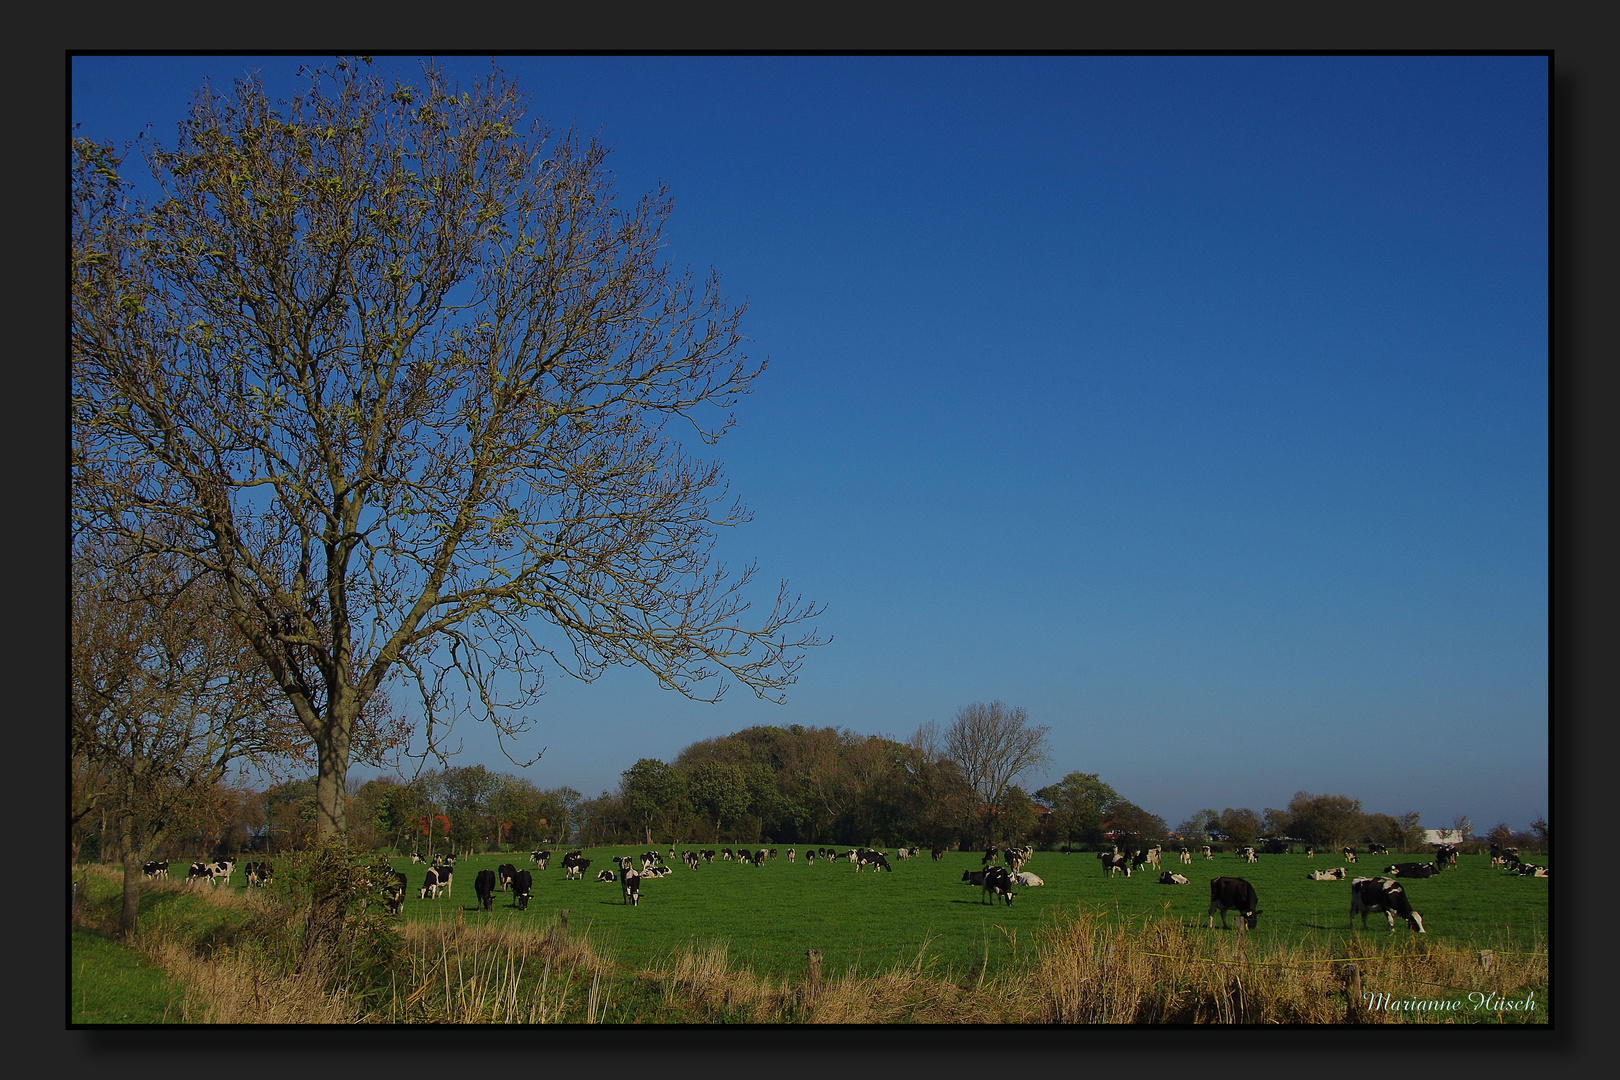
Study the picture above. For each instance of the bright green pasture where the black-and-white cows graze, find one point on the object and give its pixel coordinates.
(923, 912)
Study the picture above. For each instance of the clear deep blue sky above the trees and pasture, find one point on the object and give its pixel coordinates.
(1195, 404)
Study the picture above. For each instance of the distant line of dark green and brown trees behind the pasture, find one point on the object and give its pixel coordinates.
(770, 784)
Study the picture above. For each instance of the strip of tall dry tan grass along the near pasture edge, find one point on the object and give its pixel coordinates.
(1083, 967)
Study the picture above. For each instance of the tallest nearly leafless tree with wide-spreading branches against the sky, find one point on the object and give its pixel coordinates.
(414, 380)
